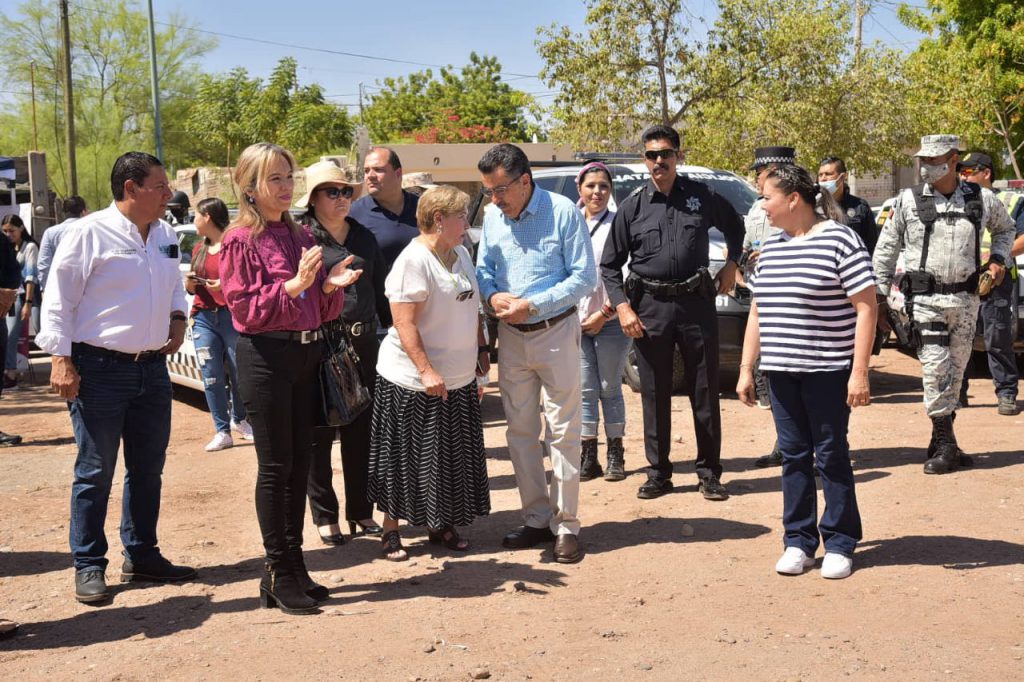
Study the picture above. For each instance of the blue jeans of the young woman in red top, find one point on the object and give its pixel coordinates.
(215, 337)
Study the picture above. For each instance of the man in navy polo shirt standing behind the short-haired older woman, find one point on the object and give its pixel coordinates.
(387, 210)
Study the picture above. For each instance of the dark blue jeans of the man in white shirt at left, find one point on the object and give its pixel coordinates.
(118, 401)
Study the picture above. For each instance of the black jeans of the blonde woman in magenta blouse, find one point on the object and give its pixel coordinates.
(278, 382)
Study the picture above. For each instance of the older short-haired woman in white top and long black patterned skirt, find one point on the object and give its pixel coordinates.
(426, 454)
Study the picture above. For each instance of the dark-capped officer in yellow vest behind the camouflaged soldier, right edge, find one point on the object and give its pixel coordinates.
(998, 310)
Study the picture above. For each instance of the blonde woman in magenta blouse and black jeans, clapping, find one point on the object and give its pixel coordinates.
(279, 294)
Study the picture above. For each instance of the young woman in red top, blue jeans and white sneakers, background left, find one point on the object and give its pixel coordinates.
(214, 334)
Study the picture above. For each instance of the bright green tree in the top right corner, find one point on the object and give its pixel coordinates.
(982, 44)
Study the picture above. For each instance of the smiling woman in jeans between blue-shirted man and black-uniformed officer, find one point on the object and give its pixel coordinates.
(604, 347)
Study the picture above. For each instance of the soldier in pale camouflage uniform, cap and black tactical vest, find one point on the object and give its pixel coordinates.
(938, 226)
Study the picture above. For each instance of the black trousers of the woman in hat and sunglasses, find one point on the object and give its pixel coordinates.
(355, 440)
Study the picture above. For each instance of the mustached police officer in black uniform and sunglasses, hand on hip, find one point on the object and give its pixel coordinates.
(669, 302)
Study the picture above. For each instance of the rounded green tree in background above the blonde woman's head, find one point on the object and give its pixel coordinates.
(233, 111)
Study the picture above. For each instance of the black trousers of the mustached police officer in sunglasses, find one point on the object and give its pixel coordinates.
(691, 324)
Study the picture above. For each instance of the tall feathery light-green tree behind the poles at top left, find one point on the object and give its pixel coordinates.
(111, 76)
